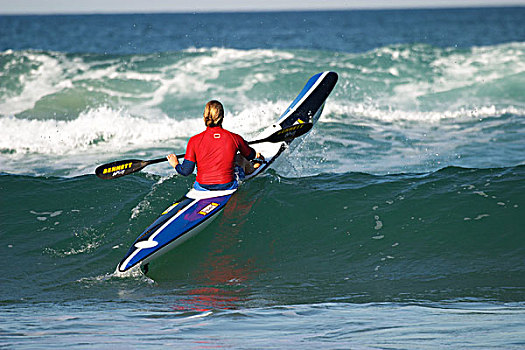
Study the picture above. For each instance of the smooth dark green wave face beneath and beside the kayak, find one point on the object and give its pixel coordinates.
(452, 234)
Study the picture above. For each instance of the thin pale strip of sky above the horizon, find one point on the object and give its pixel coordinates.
(141, 6)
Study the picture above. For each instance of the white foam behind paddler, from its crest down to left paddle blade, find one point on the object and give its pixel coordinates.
(77, 146)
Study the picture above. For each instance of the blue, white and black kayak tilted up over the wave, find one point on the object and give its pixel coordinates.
(197, 209)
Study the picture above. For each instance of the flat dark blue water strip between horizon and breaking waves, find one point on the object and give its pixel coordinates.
(336, 31)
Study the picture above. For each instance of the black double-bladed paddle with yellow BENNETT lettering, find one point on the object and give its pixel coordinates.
(125, 167)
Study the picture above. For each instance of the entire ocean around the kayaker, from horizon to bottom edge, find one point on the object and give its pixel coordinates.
(396, 224)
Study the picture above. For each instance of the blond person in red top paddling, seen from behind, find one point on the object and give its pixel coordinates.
(219, 154)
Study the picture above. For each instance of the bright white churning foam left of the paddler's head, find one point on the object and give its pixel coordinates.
(95, 129)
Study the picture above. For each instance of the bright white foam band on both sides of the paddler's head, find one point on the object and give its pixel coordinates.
(105, 127)
